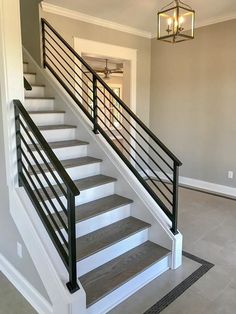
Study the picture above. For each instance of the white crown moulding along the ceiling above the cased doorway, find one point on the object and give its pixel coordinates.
(50, 8)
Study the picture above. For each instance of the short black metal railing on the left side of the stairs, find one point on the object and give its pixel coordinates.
(54, 214)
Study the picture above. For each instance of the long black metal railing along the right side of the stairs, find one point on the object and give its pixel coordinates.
(154, 165)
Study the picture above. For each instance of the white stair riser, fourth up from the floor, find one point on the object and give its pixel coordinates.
(87, 195)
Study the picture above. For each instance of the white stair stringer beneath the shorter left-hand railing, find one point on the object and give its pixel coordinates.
(46, 259)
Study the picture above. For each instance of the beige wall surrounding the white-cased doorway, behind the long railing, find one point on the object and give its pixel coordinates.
(70, 28)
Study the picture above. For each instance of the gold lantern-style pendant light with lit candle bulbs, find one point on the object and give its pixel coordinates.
(176, 22)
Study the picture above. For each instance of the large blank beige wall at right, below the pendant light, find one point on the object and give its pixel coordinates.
(193, 107)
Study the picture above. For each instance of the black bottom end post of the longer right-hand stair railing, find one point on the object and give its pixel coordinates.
(174, 228)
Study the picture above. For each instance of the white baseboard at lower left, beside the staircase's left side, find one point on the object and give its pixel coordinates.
(37, 301)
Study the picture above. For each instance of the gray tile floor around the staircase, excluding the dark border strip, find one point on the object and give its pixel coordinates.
(208, 224)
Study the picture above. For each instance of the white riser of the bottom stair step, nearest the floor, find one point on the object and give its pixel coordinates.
(122, 293)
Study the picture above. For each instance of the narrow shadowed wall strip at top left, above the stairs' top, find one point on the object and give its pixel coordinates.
(30, 27)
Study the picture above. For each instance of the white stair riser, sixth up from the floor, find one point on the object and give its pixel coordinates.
(62, 153)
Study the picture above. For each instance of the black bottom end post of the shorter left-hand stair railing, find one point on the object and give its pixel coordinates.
(72, 285)
